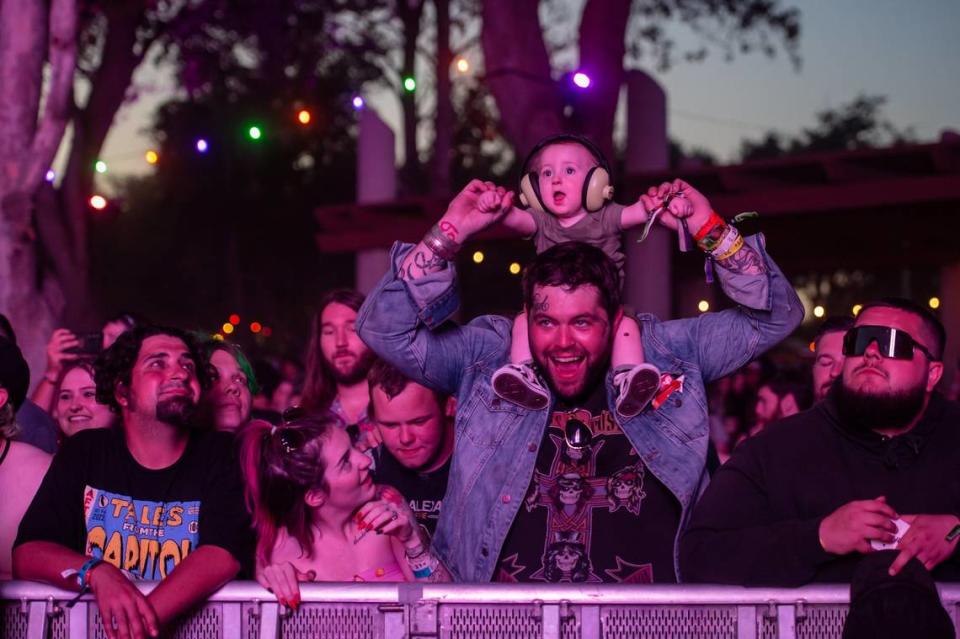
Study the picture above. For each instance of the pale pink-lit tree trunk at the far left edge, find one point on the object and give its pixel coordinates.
(29, 36)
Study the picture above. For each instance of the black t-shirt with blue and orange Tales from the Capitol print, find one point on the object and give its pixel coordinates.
(98, 500)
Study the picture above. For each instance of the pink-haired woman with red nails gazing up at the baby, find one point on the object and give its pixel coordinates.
(314, 503)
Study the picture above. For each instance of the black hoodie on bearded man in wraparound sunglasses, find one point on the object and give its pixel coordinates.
(758, 521)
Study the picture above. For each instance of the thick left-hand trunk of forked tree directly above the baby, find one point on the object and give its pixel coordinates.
(518, 73)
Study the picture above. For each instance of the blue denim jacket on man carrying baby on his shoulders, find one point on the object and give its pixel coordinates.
(497, 442)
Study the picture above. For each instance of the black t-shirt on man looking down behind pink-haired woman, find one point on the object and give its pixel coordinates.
(423, 491)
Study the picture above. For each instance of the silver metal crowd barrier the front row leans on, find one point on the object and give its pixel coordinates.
(244, 610)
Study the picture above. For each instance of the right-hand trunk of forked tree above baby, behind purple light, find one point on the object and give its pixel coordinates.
(602, 47)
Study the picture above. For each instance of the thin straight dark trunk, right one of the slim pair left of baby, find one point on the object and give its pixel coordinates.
(443, 122)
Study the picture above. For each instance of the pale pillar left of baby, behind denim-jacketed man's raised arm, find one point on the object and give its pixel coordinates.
(376, 182)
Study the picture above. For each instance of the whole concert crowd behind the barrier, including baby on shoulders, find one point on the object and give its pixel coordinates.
(579, 441)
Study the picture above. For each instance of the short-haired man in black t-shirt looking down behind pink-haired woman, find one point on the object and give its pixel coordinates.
(415, 425)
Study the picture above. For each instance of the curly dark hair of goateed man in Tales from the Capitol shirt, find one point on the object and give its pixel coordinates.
(114, 365)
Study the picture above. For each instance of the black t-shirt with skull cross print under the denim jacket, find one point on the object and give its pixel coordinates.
(593, 512)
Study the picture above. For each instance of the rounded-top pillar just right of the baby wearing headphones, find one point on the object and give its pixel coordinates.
(648, 287)
